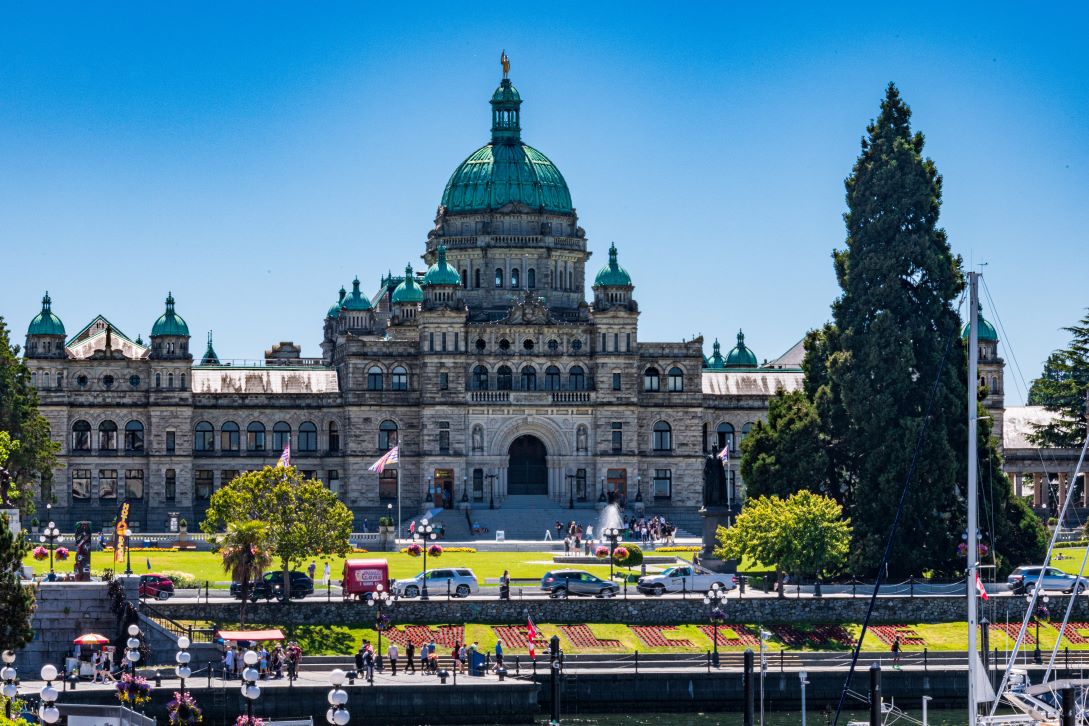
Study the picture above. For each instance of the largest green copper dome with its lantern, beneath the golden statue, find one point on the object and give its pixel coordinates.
(507, 171)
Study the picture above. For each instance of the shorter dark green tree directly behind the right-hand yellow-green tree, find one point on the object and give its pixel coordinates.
(787, 453)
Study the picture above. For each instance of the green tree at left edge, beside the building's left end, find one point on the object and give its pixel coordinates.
(36, 456)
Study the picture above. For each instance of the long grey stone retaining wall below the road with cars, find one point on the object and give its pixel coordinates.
(635, 611)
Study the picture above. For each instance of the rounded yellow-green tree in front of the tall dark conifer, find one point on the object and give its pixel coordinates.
(805, 535)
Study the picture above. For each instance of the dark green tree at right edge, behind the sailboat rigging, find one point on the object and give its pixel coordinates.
(1062, 389)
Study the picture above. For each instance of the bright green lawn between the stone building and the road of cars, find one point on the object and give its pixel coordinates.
(206, 565)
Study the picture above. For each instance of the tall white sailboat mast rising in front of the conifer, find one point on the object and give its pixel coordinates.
(973, 540)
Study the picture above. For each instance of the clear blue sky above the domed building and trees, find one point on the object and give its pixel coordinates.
(254, 157)
